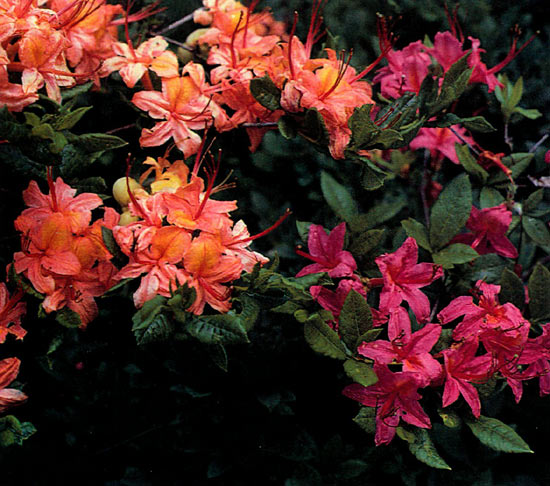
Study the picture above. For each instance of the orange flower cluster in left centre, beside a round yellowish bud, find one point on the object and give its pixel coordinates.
(182, 236)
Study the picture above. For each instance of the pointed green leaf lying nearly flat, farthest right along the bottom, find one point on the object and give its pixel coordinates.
(497, 435)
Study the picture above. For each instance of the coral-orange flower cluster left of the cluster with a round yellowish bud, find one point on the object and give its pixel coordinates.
(63, 255)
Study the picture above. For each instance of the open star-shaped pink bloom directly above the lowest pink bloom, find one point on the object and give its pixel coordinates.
(404, 346)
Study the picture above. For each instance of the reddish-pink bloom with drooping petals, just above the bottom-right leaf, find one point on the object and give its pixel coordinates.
(462, 367)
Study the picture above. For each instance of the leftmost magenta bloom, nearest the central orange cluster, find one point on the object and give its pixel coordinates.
(327, 252)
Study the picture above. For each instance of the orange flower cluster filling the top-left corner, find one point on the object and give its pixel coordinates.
(54, 43)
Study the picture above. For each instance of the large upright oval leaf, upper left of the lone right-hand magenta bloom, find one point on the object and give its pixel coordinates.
(451, 211)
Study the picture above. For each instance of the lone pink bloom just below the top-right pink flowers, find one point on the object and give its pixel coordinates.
(441, 142)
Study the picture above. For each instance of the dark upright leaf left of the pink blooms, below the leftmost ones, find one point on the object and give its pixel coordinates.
(355, 319)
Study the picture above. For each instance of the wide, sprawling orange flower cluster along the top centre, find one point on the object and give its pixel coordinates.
(242, 45)
